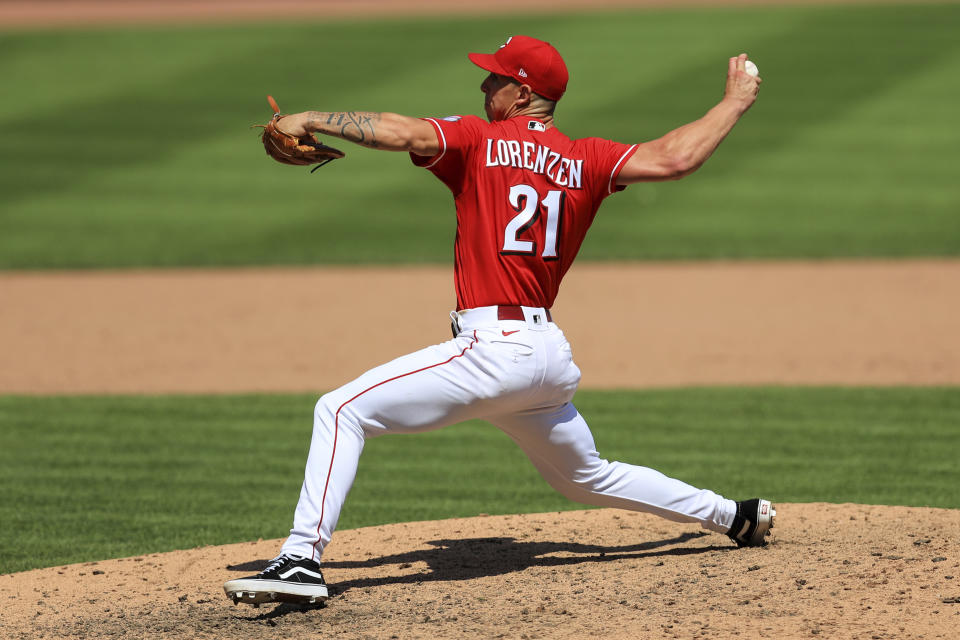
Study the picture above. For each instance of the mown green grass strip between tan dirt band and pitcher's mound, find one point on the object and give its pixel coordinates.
(89, 478)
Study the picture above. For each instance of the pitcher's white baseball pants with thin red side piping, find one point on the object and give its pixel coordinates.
(518, 375)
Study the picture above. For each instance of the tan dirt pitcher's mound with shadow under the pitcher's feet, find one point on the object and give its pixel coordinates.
(832, 571)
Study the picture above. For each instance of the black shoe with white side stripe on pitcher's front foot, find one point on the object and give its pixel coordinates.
(286, 579)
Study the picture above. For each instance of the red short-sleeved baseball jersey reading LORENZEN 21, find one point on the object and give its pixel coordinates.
(525, 196)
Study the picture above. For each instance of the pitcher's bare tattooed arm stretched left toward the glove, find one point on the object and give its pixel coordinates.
(372, 129)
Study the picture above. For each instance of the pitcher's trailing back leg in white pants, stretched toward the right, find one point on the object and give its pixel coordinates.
(560, 445)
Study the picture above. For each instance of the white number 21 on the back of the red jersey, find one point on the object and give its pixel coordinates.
(527, 203)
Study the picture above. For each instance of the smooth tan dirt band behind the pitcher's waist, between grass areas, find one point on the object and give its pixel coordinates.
(631, 325)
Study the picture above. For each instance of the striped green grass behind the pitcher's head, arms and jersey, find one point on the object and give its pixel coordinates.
(132, 147)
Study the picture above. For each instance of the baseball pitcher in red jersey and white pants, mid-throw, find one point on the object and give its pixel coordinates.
(525, 195)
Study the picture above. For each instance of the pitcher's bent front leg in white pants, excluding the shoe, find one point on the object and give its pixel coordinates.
(441, 385)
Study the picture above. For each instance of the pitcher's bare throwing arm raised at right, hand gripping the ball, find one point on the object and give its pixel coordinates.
(684, 150)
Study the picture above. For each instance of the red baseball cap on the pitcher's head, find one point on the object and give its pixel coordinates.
(528, 61)
